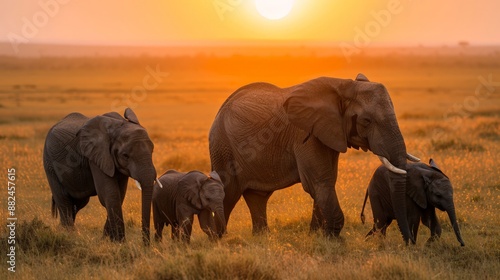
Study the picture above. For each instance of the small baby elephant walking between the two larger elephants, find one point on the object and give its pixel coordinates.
(184, 195)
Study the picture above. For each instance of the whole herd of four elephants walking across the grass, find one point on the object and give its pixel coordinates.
(264, 138)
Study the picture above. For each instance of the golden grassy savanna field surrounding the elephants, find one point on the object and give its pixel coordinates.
(440, 116)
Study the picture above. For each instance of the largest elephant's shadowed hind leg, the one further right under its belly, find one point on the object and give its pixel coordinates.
(257, 204)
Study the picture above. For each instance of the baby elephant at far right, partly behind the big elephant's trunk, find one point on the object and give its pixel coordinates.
(427, 188)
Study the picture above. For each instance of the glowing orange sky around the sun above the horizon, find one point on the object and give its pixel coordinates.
(174, 21)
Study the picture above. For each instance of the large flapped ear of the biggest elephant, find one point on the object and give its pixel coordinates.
(316, 107)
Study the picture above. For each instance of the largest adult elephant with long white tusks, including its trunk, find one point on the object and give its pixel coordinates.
(266, 138)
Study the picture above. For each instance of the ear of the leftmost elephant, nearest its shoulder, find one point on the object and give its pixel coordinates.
(95, 143)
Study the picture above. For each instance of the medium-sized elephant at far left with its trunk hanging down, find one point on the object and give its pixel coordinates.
(84, 157)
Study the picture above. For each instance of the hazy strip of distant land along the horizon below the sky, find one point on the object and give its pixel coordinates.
(252, 48)
